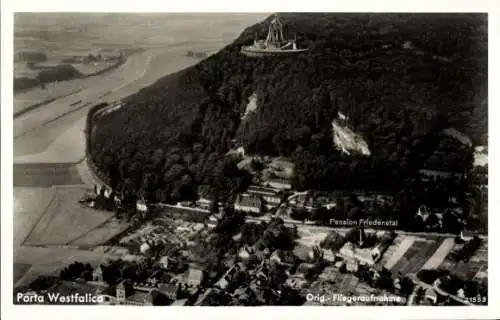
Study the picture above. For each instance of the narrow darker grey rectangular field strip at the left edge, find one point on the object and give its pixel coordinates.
(45, 174)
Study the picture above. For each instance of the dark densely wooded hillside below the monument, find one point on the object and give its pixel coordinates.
(402, 79)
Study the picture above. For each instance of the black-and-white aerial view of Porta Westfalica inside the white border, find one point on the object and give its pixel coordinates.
(250, 159)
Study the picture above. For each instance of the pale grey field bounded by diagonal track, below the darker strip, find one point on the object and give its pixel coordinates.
(65, 219)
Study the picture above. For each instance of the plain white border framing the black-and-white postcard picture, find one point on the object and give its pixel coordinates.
(32, 312)
